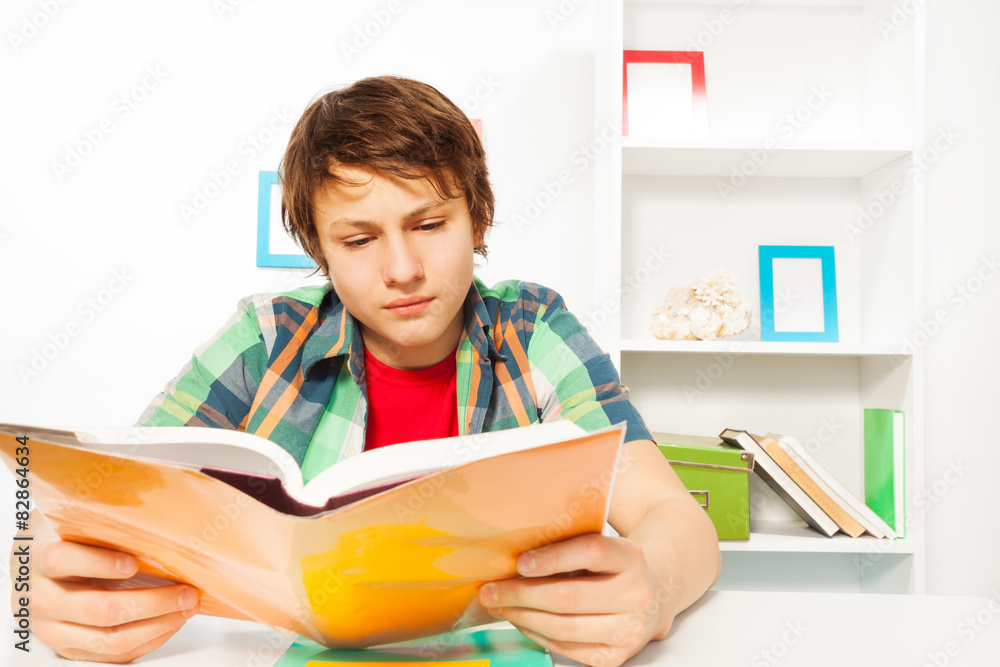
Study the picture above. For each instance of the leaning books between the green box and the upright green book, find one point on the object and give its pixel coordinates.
(809, 489)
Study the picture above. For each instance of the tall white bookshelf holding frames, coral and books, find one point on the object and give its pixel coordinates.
(843, 178)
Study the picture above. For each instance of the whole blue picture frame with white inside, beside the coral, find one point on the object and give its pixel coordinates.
(798, 294)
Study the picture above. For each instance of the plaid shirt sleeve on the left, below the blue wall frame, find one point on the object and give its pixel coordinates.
(216, 387)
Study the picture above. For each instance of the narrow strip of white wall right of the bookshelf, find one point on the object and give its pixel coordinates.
(963, 359)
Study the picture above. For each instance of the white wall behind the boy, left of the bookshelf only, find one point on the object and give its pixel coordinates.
(112, 229)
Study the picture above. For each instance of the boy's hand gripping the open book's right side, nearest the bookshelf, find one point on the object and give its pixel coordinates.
(591, 598)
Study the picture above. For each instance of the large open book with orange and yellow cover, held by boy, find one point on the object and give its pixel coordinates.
(386, 546)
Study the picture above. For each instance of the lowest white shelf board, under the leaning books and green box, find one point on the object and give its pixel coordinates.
(797, 537)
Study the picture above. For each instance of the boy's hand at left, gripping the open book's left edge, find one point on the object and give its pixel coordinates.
(83, 621)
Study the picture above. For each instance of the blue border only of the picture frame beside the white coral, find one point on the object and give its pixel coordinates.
(829, 332)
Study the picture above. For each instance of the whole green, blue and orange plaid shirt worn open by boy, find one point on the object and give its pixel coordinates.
(290, 368)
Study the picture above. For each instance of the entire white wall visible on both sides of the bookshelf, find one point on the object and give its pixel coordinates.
(63, 241)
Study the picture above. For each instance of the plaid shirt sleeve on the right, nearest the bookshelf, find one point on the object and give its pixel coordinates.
(574, 378)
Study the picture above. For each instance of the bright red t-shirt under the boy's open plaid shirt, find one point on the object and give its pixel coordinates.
(410, 405)
